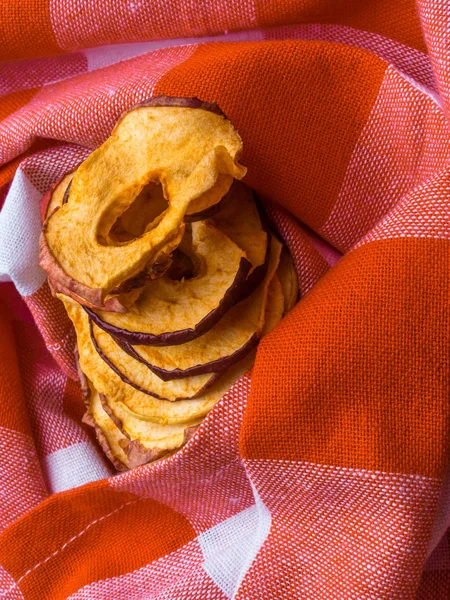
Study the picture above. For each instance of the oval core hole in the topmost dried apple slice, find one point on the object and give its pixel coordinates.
(143, 214)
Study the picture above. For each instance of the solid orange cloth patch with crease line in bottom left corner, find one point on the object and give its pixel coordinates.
(109, 545)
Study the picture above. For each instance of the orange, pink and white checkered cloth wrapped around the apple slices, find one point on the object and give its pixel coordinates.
(322, 474)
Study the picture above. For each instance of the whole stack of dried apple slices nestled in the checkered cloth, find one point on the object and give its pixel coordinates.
(167, 271)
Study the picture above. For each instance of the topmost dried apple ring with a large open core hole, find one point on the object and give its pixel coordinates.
(187, 146)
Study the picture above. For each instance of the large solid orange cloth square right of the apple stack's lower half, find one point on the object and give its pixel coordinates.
(378, 403)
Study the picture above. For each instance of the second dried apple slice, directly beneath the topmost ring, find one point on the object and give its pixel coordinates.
(174, 312)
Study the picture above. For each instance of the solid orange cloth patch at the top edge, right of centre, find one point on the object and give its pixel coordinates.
(397, 20)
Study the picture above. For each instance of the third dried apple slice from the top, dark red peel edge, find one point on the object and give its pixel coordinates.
(232, 338)
